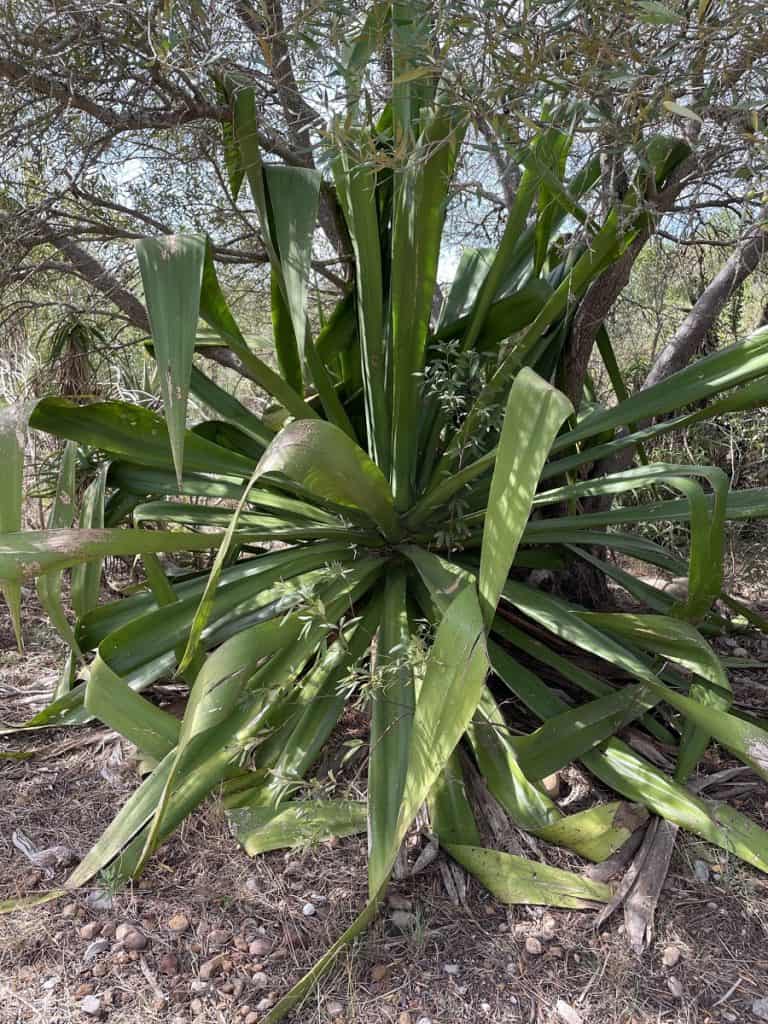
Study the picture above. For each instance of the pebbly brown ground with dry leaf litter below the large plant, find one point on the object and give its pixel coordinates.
(247, 937)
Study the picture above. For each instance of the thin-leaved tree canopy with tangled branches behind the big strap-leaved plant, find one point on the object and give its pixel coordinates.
(117, 123)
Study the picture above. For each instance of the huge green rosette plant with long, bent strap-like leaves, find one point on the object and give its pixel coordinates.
(415, 476)
